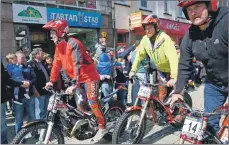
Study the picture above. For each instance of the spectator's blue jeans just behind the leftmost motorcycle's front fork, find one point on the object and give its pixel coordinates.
(41, 105)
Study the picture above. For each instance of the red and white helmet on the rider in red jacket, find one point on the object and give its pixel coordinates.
(60, 26)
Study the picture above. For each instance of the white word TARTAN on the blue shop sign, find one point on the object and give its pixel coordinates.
(62, 16)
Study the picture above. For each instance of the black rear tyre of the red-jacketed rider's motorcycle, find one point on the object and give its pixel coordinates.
(119, 105)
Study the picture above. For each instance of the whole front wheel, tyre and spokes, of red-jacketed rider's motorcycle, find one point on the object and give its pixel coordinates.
(35, 134)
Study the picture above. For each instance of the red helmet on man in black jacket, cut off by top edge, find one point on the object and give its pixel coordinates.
(212, 5)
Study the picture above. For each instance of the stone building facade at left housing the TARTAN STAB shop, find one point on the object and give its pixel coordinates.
(22, 23)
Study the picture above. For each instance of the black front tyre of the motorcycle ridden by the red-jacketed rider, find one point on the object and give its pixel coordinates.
(17, 139)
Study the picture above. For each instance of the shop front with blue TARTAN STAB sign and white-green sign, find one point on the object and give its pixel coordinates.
(28, 21)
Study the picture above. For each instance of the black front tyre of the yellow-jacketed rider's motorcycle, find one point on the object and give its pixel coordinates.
(122, 122)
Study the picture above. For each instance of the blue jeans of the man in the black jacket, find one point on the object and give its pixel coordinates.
(214, 97)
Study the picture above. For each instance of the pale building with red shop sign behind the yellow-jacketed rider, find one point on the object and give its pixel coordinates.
(172, 19)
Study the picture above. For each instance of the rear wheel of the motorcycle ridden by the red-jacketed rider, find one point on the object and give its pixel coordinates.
(115, 111)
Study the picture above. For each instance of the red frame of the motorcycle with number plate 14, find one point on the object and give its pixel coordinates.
(205, 117)
